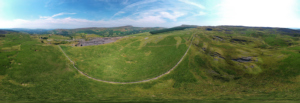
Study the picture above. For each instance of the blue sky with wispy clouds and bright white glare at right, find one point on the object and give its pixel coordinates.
(54, 14)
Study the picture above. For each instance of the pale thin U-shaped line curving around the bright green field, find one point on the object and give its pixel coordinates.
(147, 80)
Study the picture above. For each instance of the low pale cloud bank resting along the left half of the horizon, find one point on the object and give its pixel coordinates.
(69, 22)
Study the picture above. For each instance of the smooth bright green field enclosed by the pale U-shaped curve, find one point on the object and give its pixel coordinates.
(131, 58)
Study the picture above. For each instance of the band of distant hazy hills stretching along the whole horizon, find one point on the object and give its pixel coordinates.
(129, 29)
